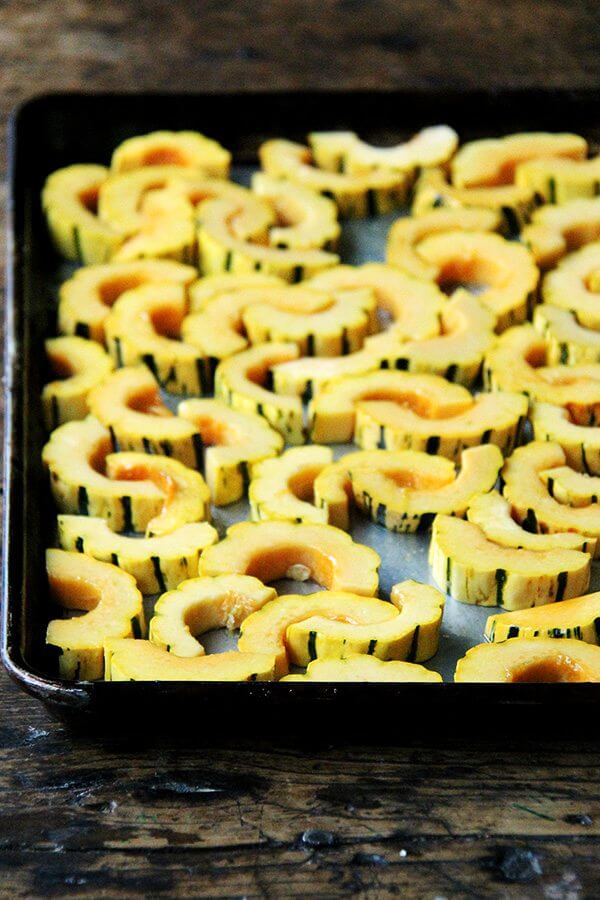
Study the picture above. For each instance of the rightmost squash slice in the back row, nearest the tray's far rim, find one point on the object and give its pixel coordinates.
(492, 161)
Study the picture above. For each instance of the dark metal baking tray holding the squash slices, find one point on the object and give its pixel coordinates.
(56, 130)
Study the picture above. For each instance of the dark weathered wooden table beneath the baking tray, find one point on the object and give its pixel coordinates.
(459, 816)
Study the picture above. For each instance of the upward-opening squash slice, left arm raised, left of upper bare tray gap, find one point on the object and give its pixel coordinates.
(221, 250)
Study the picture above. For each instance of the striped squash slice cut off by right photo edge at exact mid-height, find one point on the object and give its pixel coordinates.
(580, 443)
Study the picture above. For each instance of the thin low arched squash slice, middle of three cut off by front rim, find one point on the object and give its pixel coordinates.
(359, 667)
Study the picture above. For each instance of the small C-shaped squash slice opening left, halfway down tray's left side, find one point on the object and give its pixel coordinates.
(80, 365)
